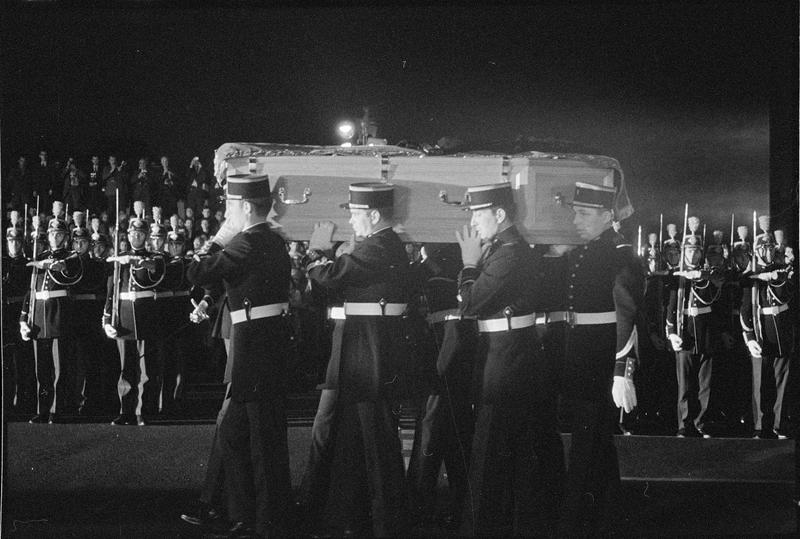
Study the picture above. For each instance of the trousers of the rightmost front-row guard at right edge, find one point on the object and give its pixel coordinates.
(770, 374)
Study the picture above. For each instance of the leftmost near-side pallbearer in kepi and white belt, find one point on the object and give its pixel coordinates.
(252, 264)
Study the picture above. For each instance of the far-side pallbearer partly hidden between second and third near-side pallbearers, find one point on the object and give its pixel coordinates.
(445, 424)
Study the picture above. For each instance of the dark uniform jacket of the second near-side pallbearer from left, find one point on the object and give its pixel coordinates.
(370, 350)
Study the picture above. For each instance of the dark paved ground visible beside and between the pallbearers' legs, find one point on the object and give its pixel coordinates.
(95, 480)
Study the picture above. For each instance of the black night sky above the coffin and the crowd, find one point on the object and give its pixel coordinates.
(680, 93)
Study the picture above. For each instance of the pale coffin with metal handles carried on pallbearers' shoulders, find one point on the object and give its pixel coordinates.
(310, 182)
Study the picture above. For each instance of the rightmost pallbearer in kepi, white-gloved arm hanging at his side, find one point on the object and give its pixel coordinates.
(604, 291)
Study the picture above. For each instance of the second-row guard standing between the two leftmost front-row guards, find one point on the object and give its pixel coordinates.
(89, 295)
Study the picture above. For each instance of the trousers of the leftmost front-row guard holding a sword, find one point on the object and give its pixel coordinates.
(52, 375)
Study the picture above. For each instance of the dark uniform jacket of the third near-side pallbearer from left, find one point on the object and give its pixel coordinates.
(512, 372)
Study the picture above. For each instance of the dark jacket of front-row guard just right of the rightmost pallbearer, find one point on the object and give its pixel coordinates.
(699, 293)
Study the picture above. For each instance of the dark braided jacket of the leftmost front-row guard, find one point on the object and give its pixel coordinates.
(52, 317)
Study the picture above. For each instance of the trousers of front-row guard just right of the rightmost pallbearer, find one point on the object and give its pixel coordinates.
(694, 388)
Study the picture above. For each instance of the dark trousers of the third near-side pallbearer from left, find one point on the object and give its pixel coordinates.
(516, 447)
